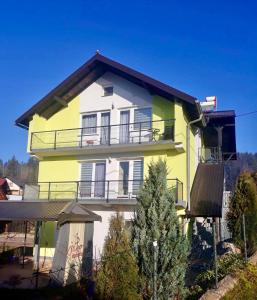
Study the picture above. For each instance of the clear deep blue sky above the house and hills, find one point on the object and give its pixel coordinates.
(201, 47)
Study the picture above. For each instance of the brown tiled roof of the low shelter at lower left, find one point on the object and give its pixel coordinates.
(63, 211)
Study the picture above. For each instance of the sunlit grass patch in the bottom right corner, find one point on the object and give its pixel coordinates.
(246, 287)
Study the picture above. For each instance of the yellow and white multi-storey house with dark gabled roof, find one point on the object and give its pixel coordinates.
(97, 131)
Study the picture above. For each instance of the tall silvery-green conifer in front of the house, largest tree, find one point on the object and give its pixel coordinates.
(156, 220)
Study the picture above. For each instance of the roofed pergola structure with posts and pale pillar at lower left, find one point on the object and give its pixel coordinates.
(75, 231)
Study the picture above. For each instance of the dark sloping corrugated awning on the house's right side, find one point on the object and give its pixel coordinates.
(207, 191)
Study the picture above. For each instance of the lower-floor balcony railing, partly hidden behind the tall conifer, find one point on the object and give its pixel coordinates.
(106, 190)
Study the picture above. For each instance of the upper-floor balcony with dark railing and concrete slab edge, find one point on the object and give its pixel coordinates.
(156, 135)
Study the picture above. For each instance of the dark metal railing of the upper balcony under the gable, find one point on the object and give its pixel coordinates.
(130, 133)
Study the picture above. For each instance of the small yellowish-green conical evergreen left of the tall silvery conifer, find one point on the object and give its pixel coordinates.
(118, 275)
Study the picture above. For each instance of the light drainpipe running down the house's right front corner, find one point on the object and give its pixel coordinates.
(201, 118)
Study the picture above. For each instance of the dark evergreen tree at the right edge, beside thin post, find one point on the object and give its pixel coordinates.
(244, 201)
